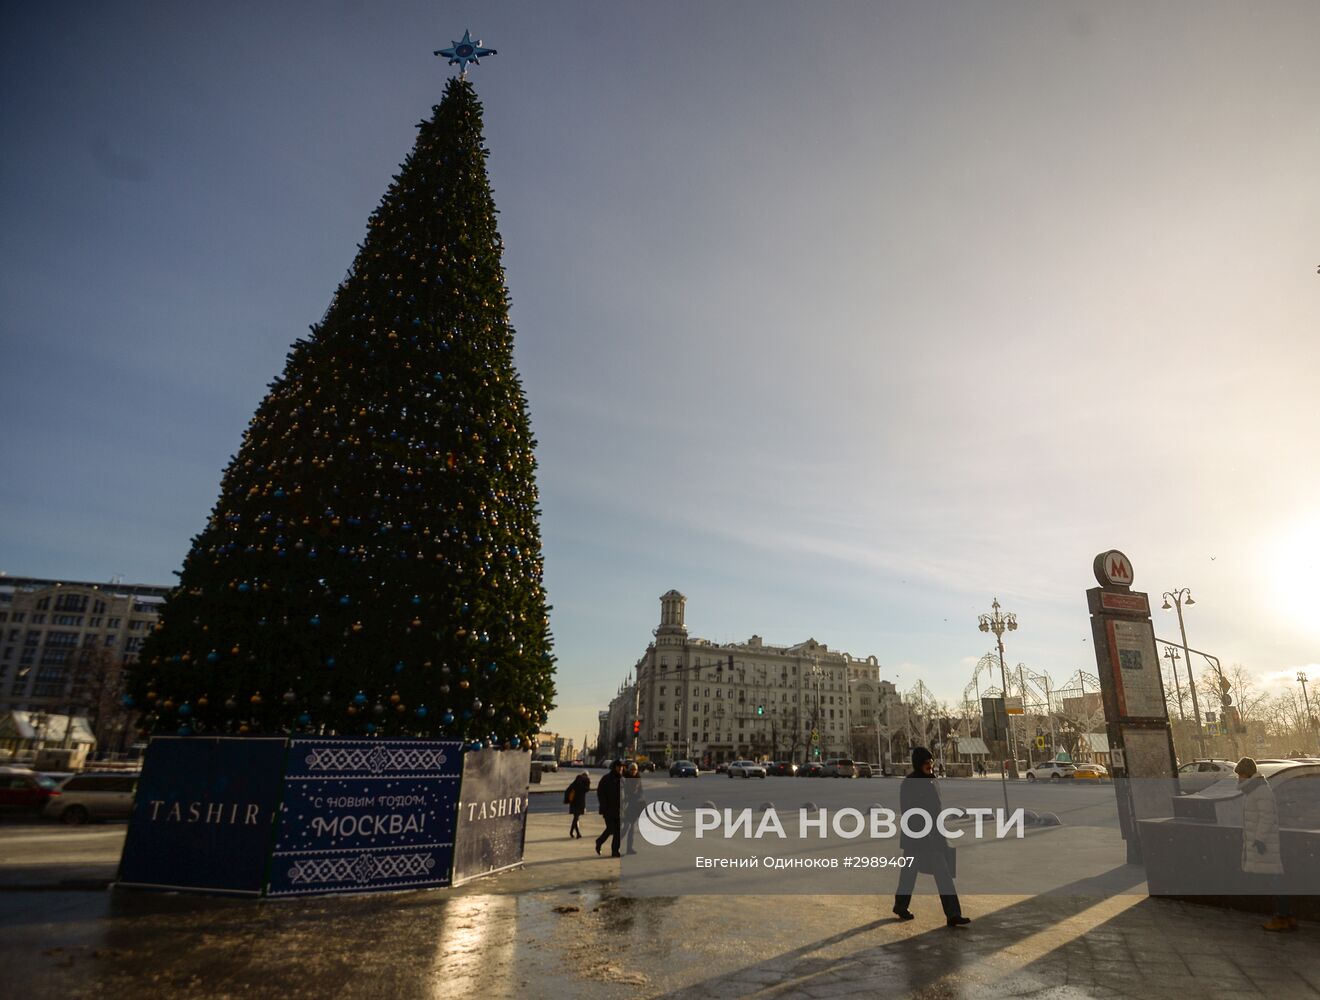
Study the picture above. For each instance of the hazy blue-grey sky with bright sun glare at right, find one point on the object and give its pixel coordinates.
(843, 319)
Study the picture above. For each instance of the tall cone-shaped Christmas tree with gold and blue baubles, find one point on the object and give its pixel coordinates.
(374, 561)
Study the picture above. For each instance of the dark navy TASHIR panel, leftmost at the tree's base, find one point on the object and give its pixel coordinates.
(204, 815)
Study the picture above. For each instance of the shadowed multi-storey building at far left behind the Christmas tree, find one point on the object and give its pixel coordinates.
(64, 647)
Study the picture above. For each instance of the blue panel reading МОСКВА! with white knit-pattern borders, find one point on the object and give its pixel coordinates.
(365, 816)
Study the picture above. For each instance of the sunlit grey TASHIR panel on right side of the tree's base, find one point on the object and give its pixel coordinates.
(492, 815)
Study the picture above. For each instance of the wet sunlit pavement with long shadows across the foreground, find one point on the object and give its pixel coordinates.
(560, 928)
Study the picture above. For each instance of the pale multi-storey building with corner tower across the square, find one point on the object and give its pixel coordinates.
(713, 703)
